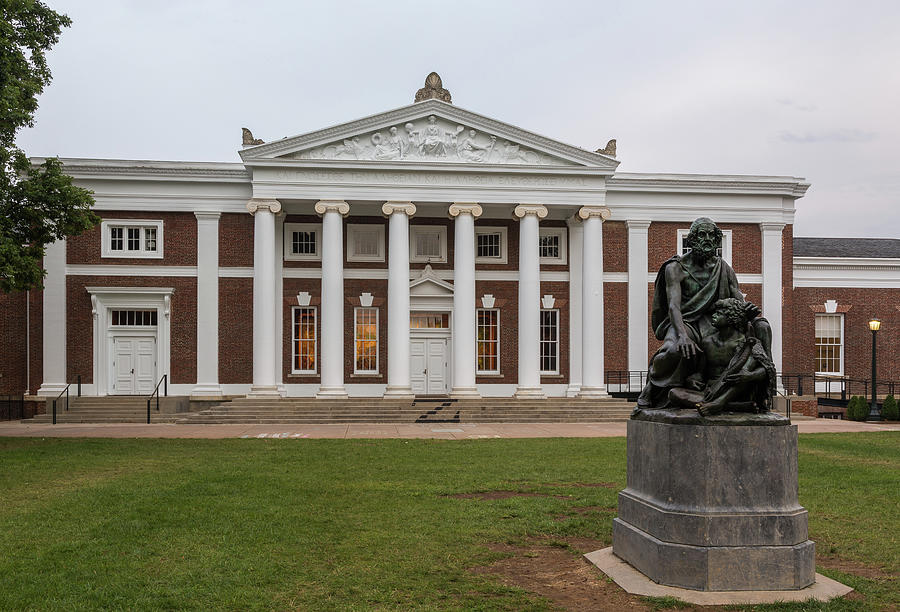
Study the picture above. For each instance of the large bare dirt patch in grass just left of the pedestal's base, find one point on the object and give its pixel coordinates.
(552, 571)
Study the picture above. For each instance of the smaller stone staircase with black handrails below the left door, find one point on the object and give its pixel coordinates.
(109, 409)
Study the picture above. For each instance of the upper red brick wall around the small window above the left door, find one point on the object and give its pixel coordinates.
(179, 241)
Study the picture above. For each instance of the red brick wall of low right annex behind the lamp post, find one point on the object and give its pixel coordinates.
(864, 304)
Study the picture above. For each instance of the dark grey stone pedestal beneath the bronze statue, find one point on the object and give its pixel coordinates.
(714, 507)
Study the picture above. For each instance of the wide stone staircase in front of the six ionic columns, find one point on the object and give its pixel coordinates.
(438, 410)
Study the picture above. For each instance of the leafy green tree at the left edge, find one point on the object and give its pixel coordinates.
(38, 204)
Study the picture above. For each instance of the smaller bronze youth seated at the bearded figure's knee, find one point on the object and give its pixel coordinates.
(736, 366)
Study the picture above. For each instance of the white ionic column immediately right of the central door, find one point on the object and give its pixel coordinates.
(464, 326)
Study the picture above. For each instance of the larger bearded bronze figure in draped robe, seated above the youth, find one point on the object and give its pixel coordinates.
(687, 290)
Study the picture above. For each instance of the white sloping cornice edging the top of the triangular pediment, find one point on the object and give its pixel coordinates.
(418, 111)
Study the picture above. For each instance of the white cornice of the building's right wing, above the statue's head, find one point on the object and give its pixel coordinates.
(788, 186)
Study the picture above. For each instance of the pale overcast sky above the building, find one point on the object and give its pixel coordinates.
(809, 89)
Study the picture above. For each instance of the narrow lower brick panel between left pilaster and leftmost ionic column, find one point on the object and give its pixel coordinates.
(236, 330)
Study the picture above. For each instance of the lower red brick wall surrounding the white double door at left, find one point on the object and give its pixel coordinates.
(183, 324)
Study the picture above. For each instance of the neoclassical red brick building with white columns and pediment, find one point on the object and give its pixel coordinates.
(423, 250)
